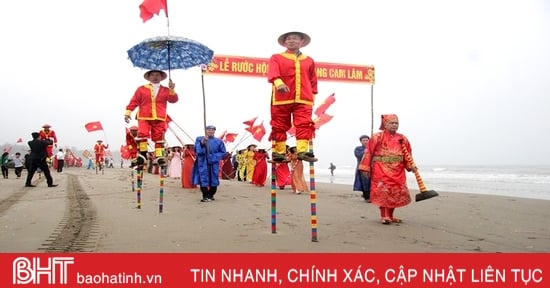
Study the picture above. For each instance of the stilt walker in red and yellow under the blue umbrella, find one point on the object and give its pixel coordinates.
(151, 100)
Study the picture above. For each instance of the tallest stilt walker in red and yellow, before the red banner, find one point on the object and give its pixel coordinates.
(294, 86)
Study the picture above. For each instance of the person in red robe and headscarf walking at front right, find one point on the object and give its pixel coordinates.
(385, 164)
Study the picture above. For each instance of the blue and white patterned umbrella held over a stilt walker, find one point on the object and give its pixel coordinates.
(169, 52)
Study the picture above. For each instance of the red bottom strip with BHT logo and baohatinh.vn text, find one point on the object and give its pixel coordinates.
(274, 269)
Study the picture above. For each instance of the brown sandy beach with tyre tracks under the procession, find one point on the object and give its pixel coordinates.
(90, 212)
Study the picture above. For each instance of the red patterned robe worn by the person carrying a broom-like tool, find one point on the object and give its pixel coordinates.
(388, 180)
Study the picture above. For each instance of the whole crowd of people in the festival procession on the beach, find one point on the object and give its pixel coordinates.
(381, 161)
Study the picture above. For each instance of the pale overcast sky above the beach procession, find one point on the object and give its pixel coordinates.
(468, 79)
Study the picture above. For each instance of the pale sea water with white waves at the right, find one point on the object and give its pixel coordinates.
(516, 181)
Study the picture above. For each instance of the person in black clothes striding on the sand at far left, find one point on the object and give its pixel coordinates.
(37, 159)
